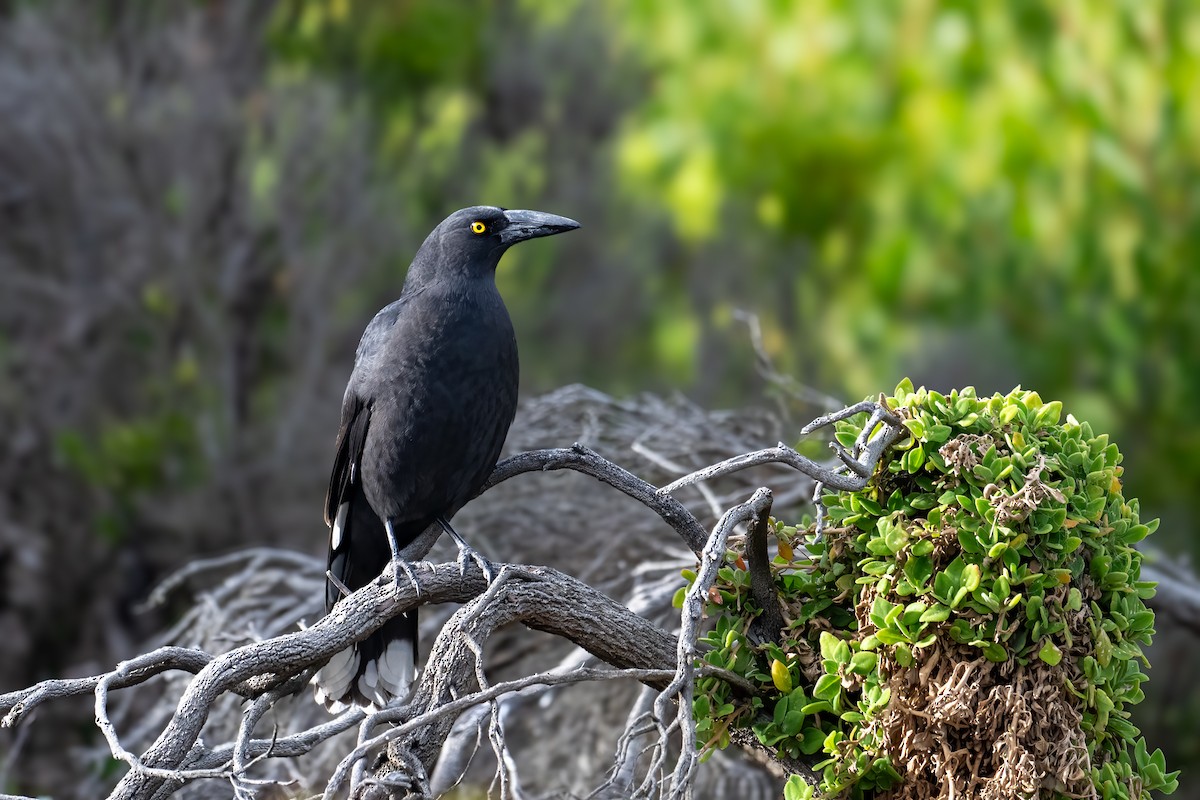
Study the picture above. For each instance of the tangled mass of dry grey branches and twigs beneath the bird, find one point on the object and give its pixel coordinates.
(536, 714)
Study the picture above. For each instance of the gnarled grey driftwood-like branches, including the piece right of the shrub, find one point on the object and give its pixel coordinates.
(399, 748)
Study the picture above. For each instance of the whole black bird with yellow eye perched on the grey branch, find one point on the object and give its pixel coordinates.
(424, 418)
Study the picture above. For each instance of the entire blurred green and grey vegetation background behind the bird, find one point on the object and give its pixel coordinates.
(202, 202)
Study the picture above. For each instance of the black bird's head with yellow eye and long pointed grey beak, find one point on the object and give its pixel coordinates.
(472, 240)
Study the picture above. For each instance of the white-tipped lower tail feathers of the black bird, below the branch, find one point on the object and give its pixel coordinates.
(374, 672)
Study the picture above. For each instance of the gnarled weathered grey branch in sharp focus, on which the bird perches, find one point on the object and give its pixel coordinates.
(539, 598)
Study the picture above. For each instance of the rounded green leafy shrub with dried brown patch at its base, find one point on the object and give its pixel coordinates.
(973, 618)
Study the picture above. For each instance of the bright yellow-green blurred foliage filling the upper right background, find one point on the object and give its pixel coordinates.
(1018, 177)
